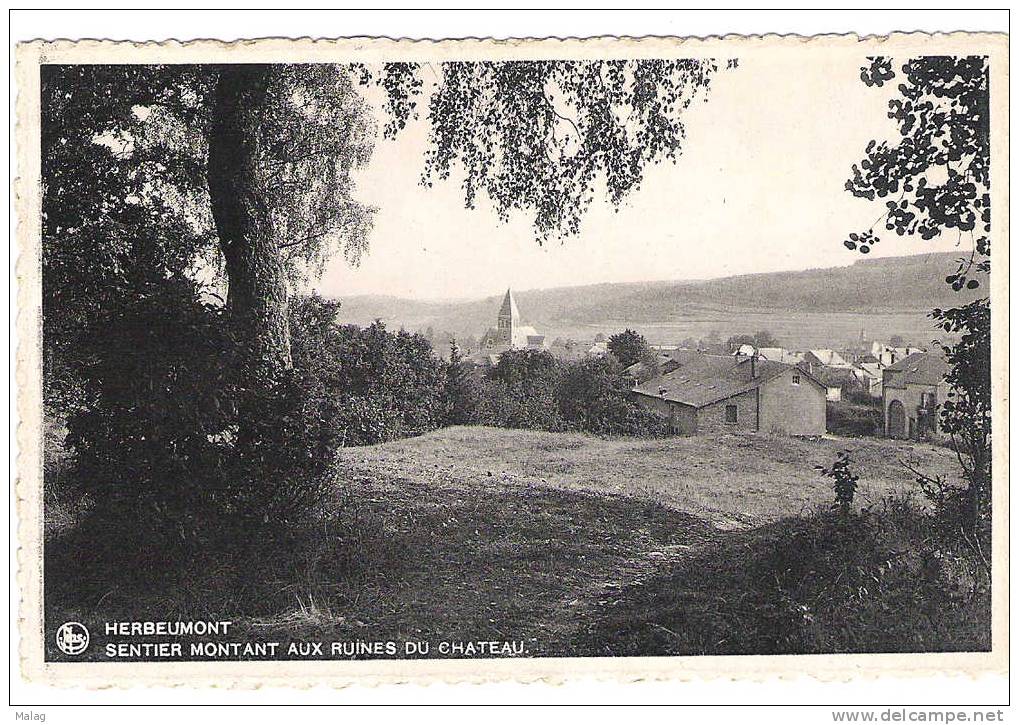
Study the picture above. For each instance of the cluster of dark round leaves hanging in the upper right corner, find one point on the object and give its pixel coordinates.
(936, 178)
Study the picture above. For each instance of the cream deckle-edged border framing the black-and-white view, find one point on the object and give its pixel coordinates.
(551, 670)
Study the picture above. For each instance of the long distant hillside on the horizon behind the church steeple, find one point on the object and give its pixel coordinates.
(884, 286)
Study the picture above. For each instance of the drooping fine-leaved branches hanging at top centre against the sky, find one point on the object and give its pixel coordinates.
(540, 137)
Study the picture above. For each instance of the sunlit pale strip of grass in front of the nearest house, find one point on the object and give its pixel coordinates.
(728, 481)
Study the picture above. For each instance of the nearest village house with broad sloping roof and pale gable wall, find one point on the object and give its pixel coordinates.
(735, 393)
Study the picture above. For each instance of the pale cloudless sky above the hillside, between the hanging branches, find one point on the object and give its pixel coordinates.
(761, 187)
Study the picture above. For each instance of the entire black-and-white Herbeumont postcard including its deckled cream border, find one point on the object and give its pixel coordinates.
(360, 361)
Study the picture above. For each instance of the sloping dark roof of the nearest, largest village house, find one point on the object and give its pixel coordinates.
(703, 380)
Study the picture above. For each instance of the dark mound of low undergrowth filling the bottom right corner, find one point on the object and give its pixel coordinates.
(882, 581)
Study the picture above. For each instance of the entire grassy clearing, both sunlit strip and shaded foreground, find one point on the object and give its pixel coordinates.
(474, 534)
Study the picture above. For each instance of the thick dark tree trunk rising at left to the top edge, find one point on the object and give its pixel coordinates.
(258, 294)
